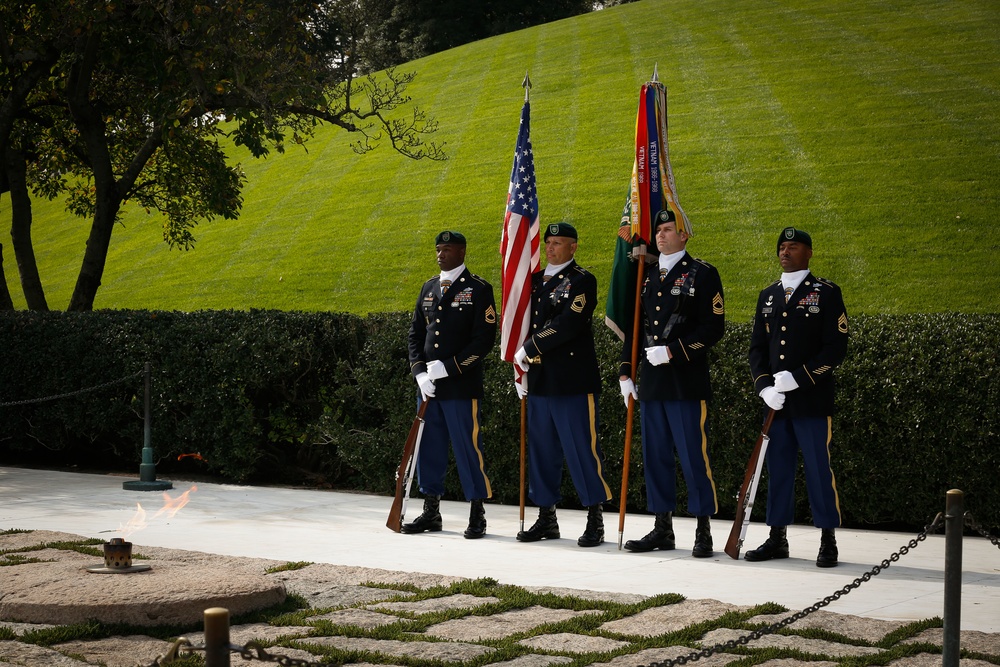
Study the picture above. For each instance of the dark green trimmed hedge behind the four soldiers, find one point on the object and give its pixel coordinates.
(326, 400)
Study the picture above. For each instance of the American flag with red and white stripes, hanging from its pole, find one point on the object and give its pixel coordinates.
(519, 244)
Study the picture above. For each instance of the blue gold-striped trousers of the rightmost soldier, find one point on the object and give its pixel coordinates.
(811, 436)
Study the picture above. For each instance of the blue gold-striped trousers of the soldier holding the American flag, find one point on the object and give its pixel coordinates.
(558, 427)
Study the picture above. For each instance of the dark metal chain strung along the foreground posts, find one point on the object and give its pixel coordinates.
(255, 651)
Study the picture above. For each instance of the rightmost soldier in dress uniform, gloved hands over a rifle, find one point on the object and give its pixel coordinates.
(799, 336)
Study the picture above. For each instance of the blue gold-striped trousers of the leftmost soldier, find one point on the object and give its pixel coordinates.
(456, 421)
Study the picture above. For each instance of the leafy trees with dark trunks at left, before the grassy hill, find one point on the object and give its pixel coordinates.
(106, 102)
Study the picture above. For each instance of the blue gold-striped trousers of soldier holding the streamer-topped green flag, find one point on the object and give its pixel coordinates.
(669, 427)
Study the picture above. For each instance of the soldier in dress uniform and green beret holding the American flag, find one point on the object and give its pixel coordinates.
(563, 385)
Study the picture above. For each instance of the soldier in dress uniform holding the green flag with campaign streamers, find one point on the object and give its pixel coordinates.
(684, 315)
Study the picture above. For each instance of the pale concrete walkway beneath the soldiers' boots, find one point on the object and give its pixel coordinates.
(349, 529)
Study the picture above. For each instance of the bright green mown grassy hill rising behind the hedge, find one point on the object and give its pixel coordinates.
(873, 125)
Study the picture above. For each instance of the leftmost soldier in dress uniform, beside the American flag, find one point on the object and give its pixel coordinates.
(453, 329)
